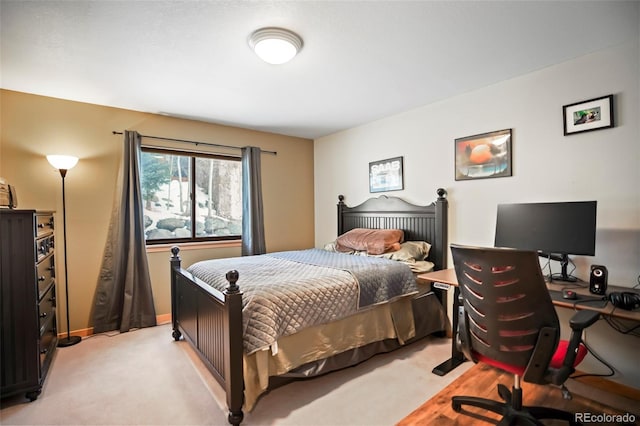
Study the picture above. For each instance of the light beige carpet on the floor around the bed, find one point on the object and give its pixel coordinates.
(145, 378)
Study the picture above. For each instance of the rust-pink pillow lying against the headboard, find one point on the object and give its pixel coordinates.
(373, 241)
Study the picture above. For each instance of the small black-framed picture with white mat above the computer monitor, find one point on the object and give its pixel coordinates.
(594, 114)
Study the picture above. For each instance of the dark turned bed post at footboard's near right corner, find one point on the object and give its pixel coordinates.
(234, 381)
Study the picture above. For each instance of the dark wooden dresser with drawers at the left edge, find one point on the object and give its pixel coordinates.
(28, 300)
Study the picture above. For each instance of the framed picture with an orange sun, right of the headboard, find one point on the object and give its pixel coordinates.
(481, 156)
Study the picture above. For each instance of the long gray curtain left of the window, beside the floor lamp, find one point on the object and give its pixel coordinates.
(123, 298)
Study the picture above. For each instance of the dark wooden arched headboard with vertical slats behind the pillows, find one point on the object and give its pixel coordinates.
(419, 223)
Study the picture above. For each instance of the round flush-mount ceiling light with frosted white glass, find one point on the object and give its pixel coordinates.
(275, 45)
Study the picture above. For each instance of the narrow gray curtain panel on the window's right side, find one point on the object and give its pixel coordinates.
(252, 212)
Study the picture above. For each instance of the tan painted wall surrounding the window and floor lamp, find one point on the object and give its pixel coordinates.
(34, 126)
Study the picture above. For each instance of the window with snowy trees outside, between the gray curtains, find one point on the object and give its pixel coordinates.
(169, 180)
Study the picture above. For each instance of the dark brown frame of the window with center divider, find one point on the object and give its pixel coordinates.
(193, 155)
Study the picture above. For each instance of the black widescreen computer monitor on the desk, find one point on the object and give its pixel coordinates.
(554, 230)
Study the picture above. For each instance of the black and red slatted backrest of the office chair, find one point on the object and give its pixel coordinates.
(508, 309)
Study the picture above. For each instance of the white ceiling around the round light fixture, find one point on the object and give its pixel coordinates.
(361, 60)
